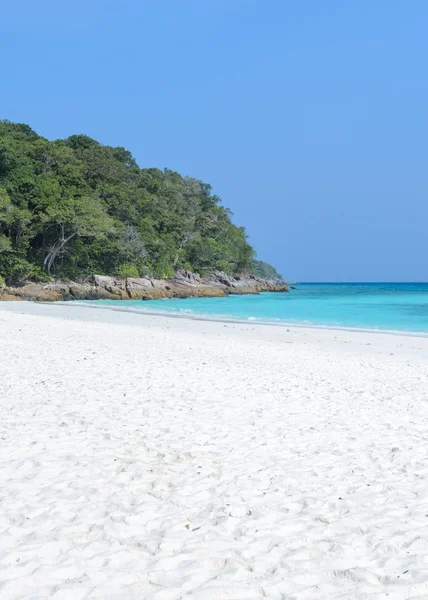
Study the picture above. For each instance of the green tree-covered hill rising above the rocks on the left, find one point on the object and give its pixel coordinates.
(71, 209)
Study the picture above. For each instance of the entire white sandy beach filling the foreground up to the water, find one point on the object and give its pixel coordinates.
(149, 457)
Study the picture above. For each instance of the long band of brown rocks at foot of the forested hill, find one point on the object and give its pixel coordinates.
(183, 285)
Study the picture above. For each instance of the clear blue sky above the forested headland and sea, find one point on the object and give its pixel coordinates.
(309, 118)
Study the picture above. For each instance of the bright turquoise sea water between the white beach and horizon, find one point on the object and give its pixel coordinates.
(384, 306)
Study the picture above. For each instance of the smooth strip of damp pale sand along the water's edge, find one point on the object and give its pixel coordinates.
(324, 338)
